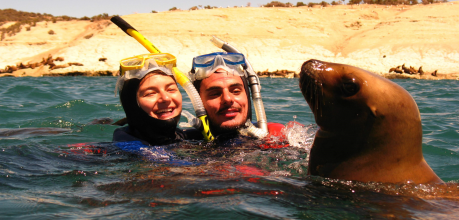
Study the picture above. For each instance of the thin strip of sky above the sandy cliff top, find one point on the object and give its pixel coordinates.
(81, 8)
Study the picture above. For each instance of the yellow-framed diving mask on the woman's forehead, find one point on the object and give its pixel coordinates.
(139, 66)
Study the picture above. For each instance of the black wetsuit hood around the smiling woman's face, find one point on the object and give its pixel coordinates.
(142, 125)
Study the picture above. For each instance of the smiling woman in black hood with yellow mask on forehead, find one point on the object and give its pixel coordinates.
(151, 101)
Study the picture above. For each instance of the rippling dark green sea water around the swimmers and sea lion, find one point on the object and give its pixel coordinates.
(67, 167)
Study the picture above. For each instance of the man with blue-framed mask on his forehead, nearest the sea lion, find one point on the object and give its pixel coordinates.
(221, 81)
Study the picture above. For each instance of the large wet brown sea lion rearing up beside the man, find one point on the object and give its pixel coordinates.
(369, 127)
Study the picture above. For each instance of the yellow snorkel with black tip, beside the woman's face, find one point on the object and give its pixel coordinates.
(181, 78)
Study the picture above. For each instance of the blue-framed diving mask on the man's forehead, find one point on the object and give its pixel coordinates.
(205, 65)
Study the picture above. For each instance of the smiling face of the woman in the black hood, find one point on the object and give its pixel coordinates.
(159, 96)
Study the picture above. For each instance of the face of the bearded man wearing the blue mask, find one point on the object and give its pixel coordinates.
(225, 100)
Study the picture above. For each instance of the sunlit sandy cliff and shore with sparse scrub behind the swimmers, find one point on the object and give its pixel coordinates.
(393, 38)
